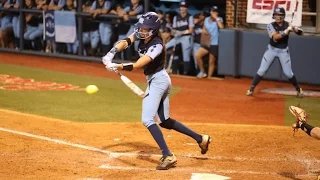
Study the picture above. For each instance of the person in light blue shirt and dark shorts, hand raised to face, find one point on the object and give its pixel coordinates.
(211, 26)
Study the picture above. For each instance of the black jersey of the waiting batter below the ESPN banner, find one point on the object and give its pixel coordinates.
(280, 43)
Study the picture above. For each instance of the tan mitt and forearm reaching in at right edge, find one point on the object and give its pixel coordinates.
(301, 116)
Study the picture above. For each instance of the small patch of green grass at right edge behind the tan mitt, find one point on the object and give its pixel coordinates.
(311, 105)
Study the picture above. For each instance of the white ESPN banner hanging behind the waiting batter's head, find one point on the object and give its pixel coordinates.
(260, 11)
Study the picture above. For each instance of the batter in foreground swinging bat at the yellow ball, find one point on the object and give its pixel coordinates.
(156, 101)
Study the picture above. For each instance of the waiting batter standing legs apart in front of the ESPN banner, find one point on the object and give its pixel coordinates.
(278, 47)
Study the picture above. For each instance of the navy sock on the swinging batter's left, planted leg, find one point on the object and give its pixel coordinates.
(158, 137)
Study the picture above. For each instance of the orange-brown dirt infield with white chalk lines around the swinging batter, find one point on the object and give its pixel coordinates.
(34, 147)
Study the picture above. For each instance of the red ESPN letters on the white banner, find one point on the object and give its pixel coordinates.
(271, 4)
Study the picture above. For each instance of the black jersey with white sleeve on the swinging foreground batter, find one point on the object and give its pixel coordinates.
(154, 48)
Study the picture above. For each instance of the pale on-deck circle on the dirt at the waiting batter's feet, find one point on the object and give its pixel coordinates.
(291, 92)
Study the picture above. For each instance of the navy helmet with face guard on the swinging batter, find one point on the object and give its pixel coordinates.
(149, 21)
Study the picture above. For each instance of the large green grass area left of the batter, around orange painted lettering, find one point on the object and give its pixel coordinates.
(114, 102)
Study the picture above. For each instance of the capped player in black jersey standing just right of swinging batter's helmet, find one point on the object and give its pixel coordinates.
(182, 30)
